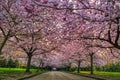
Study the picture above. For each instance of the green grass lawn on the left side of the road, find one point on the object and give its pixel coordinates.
(14, 73)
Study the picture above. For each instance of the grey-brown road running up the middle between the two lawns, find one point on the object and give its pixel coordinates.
(56, 75)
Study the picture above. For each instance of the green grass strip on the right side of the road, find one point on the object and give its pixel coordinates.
(105, 75)
